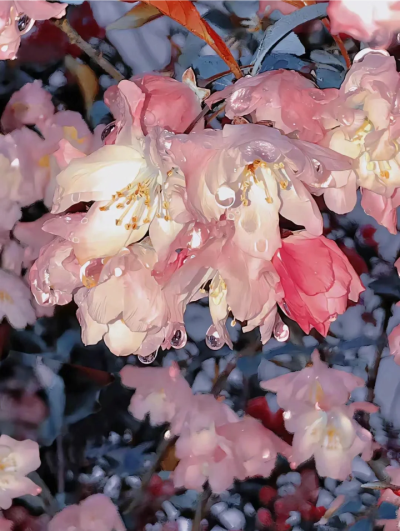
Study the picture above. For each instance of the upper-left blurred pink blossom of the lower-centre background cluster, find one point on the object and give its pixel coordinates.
(162, 393)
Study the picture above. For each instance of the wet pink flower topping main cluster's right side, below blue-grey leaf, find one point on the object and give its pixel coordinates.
(282, 97)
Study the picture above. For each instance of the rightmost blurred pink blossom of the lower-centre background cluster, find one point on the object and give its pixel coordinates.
(255, 447)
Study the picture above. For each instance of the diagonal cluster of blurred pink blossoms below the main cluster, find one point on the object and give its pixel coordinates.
(214, 444)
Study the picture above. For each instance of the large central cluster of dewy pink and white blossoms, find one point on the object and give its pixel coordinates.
(162, 217)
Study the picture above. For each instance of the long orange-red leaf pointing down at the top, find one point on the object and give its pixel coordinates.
(185, 13)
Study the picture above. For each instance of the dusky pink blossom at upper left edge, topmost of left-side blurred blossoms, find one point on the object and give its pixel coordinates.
(30, 105)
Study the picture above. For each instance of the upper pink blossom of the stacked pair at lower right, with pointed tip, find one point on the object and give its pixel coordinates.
(318, 386)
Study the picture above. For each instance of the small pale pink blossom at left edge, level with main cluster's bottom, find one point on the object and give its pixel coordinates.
(15, 301)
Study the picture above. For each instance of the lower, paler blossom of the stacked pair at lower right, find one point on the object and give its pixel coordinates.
(332, 437)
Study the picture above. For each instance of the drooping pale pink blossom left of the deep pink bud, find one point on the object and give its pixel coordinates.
(209, 252)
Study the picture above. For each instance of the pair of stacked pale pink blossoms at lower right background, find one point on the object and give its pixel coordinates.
(316, 412)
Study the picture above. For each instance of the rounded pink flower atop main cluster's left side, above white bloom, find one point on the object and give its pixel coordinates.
(168, 103)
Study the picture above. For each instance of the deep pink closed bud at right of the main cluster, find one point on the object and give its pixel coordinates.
(317, 280)
